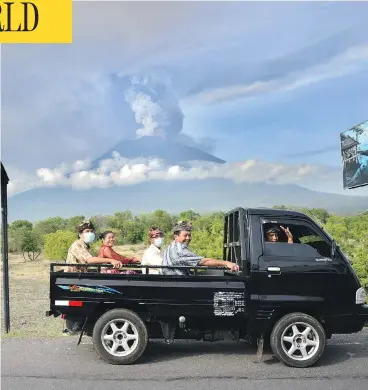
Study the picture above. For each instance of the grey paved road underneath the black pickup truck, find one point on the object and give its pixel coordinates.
(59, 364)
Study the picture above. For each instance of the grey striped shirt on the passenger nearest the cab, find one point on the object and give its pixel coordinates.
(178, 254)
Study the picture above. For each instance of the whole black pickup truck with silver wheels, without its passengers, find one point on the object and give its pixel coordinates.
(293, 292)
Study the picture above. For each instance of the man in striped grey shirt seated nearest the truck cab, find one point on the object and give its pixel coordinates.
(178, 254)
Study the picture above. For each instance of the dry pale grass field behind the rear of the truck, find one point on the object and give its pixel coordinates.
(29, 296)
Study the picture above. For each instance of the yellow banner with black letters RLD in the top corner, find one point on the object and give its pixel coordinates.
(36, 21)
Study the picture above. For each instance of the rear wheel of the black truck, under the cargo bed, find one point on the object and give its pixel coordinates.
(136, 328)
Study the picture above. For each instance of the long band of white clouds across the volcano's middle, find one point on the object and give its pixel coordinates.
(119, 171)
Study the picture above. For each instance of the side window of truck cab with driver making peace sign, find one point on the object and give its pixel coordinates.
(307, 242)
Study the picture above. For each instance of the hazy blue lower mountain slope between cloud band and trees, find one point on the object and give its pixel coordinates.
(174, 196)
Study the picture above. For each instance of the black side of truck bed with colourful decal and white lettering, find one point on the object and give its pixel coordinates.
(208, 297)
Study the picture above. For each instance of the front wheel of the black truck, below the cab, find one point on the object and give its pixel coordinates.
(280, 346)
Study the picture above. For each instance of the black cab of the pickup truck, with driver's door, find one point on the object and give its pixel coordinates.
(311, 274)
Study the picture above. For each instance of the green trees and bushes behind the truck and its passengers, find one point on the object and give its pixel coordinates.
(55, 235)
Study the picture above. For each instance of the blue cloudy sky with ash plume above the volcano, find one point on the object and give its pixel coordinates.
(265, 86)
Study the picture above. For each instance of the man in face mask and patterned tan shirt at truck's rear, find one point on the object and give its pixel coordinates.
(79, 250)
